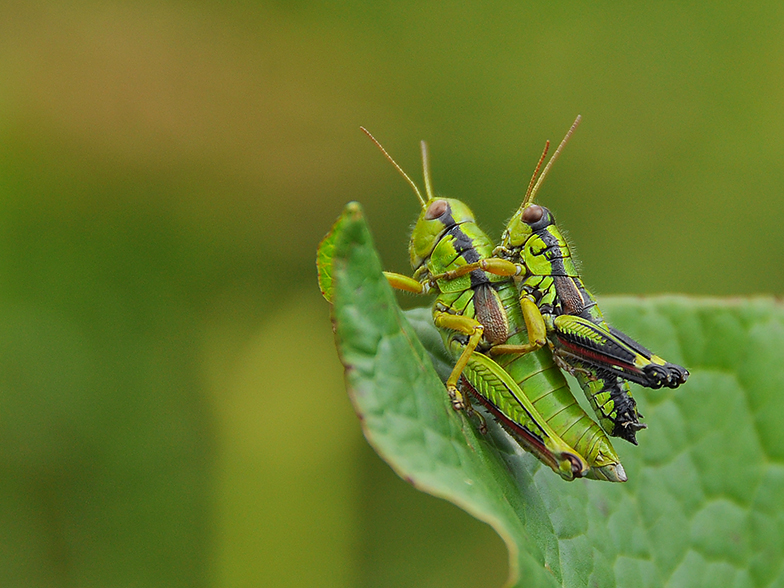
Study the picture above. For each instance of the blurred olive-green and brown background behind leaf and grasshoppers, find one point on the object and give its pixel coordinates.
(172, 410)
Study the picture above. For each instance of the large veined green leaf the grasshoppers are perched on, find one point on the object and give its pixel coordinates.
(704, 504)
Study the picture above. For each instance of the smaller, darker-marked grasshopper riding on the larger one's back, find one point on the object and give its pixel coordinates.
(554, 299)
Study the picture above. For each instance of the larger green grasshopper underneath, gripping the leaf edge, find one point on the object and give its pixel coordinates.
(479, 313)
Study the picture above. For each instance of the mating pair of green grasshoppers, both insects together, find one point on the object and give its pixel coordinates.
(513, 317)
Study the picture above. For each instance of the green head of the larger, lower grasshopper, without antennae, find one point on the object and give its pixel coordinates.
(437, 217)
